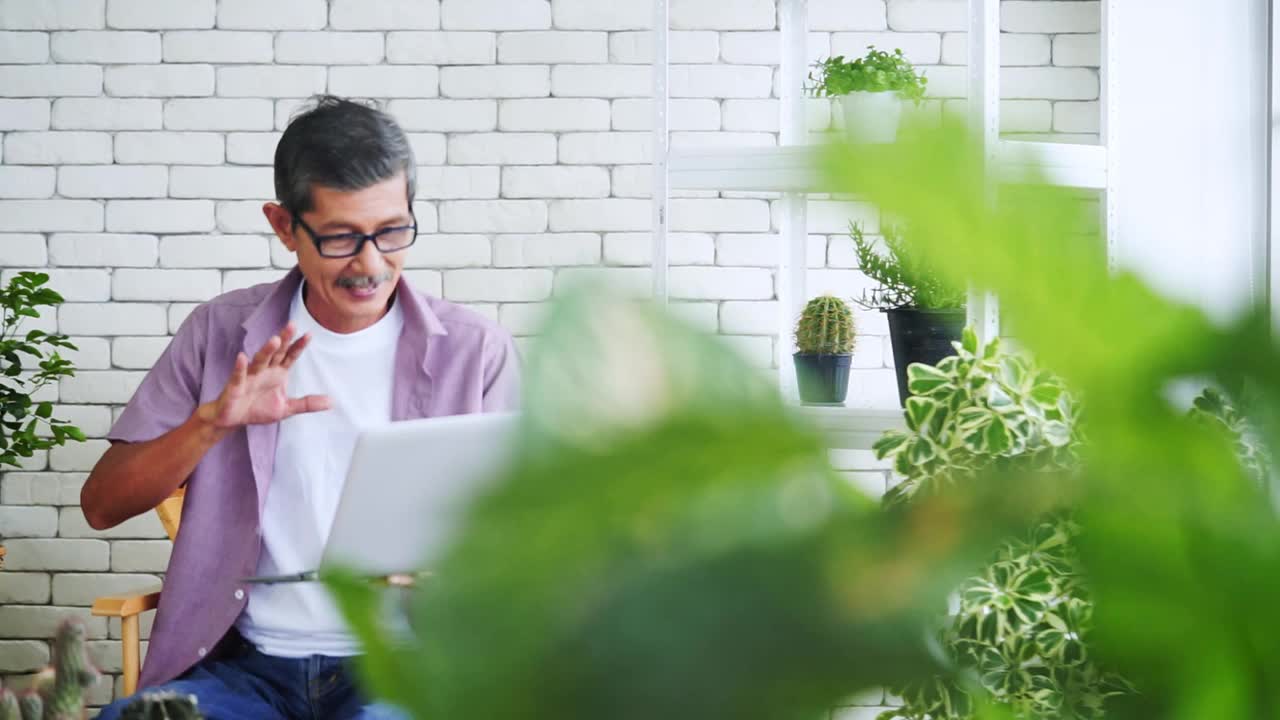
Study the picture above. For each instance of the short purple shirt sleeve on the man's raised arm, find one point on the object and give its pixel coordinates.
(171, 391)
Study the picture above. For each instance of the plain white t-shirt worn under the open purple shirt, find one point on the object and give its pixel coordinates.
(313, 452)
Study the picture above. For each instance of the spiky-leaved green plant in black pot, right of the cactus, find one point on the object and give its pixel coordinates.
(926, 315)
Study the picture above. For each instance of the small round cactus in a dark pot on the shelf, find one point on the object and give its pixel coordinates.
(825, 344)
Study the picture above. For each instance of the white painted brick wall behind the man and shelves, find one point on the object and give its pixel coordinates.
(136, 143)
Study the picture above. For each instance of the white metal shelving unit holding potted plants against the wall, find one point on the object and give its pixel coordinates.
(789, 170)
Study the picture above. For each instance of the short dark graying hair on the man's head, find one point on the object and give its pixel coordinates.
(340, 144)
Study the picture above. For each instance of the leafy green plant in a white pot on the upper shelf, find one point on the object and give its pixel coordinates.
(871, 92)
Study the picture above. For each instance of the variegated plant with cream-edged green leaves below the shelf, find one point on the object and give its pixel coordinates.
(1018, 632)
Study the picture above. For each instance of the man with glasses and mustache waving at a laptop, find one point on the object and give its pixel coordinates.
(257, 405)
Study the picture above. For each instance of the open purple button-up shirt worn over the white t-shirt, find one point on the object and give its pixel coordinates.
(450, 362)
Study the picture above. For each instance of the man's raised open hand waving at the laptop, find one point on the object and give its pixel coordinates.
(257, 393)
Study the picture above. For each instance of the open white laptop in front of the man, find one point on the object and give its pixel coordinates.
(408, 491)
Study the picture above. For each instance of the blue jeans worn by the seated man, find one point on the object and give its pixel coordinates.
(246, 685)
